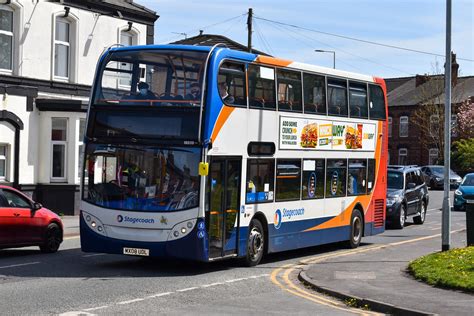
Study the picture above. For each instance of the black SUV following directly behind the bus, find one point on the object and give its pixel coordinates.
(407, 195)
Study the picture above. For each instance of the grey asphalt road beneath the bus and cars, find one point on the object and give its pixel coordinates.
(72, 283)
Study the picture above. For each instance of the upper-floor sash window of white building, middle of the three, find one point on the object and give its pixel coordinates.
(62, 48)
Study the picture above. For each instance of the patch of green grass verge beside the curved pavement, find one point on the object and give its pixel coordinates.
(449, 269)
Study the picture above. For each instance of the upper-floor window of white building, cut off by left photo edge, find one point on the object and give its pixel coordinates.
(6, 39)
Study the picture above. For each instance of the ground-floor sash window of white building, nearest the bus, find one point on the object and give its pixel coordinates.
(58, 148)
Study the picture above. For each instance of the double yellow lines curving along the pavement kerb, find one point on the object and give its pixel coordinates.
(319, 299)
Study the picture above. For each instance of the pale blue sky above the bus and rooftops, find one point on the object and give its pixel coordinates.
(413, 24)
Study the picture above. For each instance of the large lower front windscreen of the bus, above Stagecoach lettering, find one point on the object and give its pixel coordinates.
(142, 178)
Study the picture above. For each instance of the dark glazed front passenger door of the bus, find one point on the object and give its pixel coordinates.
(222, 216)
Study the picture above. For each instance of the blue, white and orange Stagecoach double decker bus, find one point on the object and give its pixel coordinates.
(206, 153)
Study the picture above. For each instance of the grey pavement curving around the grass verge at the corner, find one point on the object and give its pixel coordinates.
(380, 280)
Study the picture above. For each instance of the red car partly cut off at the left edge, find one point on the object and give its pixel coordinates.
(23, 222)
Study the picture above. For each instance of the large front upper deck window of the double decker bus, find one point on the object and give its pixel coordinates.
(151, 78)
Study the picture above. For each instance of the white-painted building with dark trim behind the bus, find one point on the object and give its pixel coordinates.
(48, 55)
